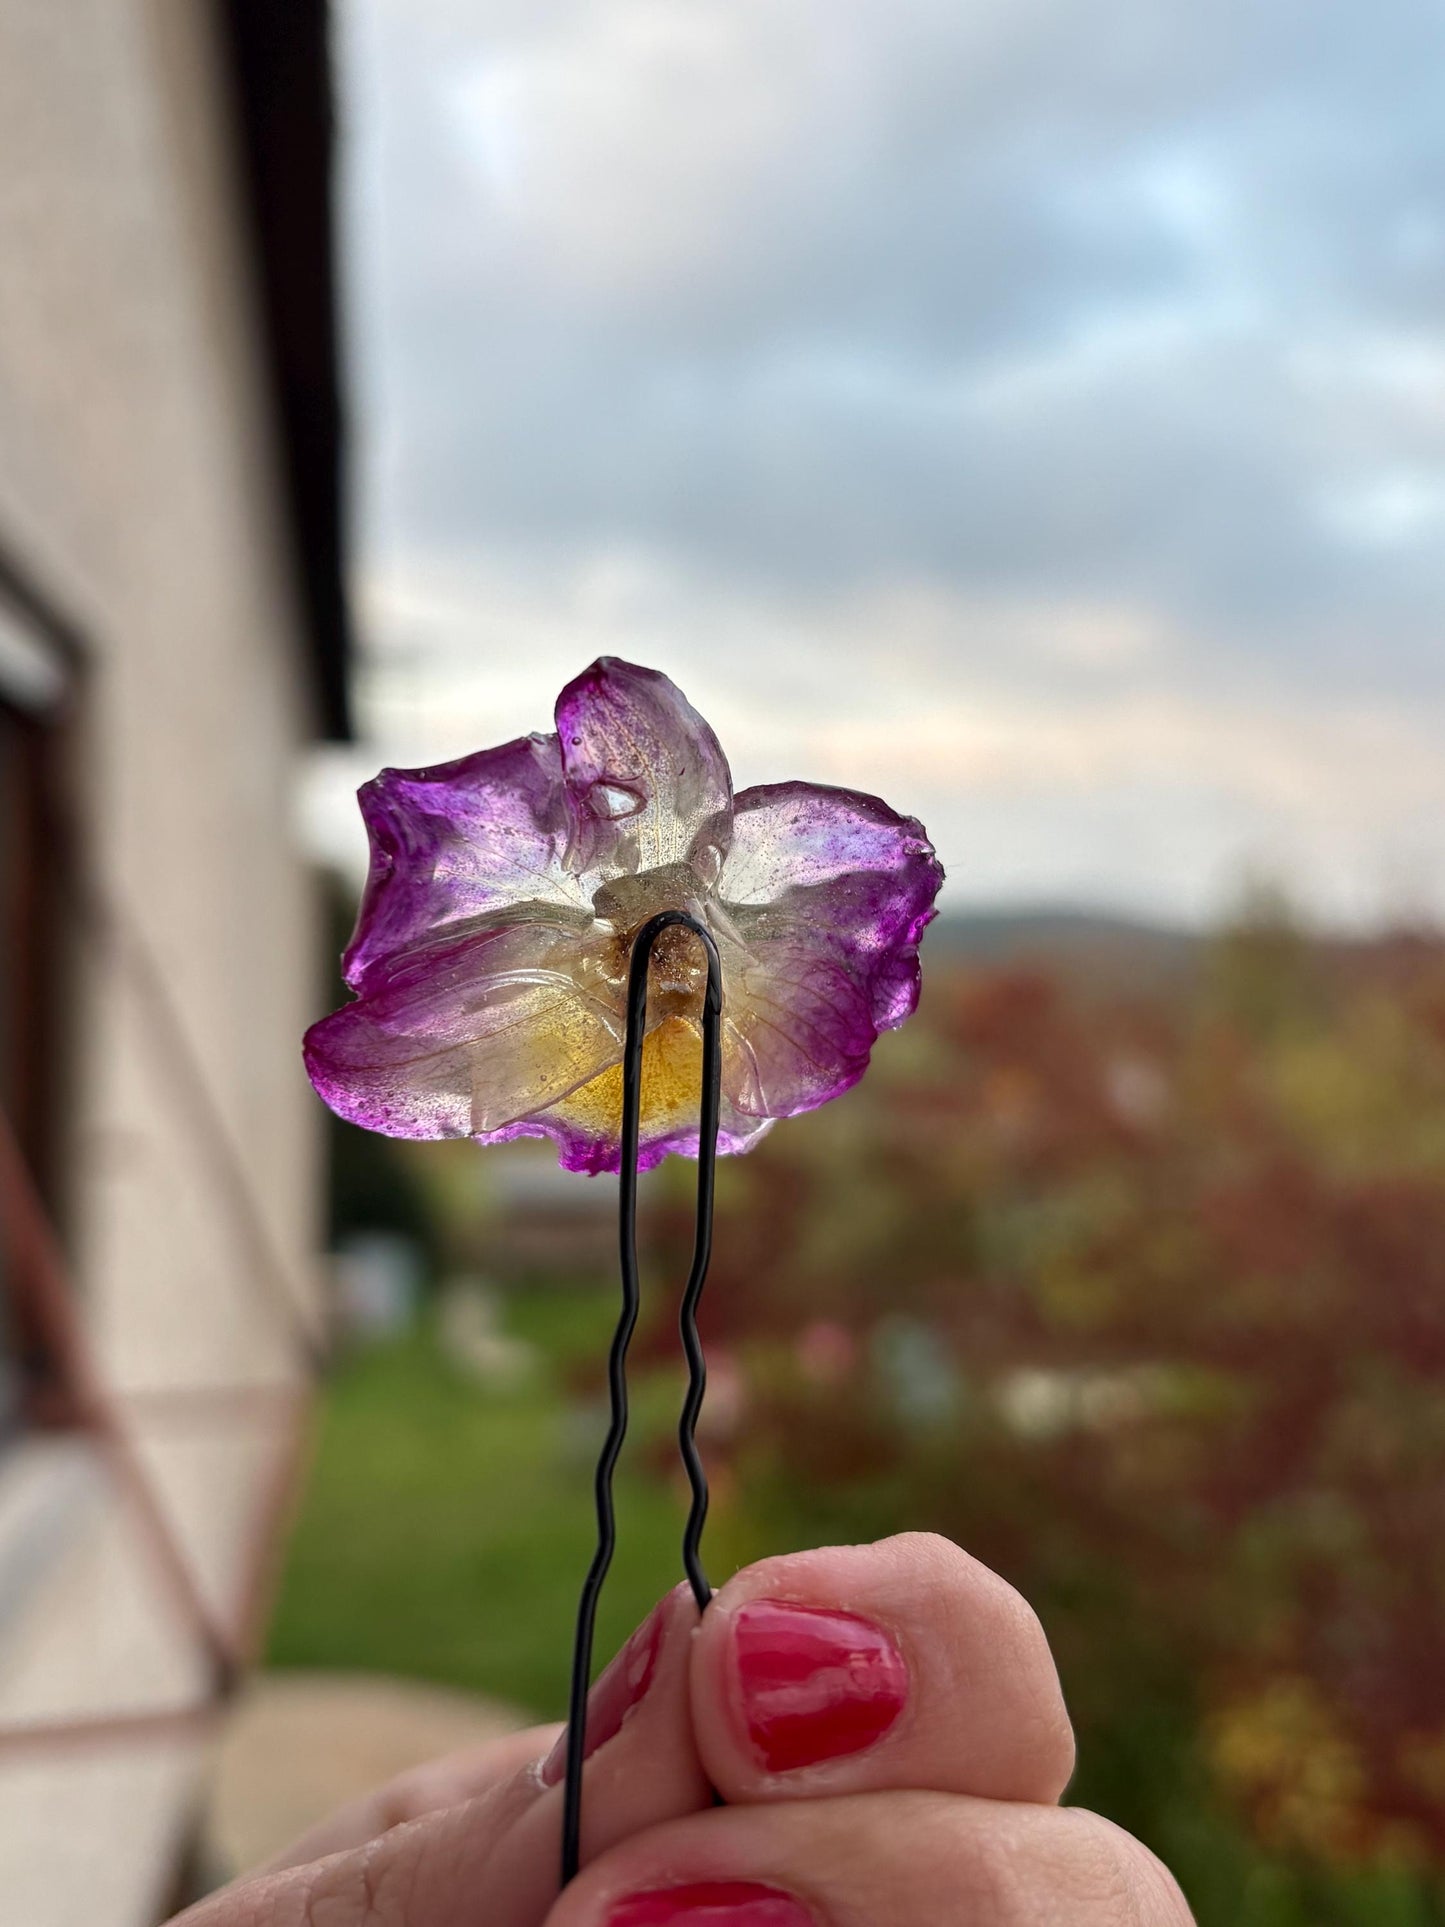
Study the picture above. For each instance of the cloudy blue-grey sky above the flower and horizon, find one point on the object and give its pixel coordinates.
(1028, 409)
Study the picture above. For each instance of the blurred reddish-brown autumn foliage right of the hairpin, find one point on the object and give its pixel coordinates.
(1140, 1294)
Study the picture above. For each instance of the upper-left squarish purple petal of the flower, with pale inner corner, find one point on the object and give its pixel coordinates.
(460, 841)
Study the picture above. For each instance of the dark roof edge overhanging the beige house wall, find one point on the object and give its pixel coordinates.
(278, 66)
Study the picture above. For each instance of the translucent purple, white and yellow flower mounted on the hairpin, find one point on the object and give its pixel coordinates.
(492, 949)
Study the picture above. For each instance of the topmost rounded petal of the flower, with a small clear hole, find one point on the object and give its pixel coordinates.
(646, 776)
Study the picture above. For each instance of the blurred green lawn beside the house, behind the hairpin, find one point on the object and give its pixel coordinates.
(446, 1529)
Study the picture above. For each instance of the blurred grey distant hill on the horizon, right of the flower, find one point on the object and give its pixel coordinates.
(1086, 943)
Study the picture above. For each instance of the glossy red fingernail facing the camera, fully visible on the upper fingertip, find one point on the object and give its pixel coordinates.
(814, 1683)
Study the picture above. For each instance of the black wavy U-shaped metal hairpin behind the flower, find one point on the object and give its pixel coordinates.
(712, 1088)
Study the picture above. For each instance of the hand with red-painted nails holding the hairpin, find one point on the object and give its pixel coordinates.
(887, 1729)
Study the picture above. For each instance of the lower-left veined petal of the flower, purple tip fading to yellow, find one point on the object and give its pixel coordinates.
(473, 1032)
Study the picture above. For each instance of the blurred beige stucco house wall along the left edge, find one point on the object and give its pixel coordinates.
(140, 492)
